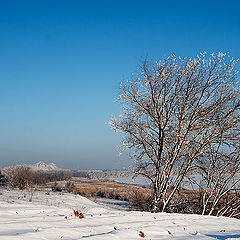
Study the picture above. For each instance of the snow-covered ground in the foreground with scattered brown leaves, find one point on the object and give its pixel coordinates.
(51, 217)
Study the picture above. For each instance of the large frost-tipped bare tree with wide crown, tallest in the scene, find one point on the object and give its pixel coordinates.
(171, 114)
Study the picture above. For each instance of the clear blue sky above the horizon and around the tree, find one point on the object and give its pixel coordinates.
(61, 63)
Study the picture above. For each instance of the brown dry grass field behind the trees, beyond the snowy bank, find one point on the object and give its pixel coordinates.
(184, 201)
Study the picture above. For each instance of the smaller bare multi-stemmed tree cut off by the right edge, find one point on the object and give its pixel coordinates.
(219, 168)
